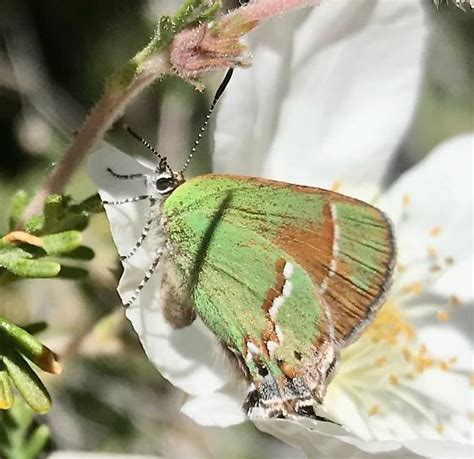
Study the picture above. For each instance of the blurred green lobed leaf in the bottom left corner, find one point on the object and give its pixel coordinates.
(20, 437)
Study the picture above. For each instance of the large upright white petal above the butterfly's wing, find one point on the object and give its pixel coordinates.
(329, 95)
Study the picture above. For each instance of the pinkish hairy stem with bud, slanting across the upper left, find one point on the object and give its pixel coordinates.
(188, 51)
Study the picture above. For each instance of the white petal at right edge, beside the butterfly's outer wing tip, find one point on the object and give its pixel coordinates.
(440, 193)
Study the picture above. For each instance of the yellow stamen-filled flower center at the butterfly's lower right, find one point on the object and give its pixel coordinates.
(378, 368)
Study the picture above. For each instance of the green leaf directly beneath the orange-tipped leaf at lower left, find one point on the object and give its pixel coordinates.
(27, 382)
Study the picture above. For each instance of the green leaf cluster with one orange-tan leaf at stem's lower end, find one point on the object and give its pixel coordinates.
(56, 233)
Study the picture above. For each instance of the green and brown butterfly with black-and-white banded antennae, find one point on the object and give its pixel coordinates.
(283, 275)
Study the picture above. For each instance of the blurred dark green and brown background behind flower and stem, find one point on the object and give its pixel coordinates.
(54, 58)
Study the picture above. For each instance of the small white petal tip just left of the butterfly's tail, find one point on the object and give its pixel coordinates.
(217, 409)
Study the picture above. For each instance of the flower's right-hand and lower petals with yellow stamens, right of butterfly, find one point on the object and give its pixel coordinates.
(407, 382)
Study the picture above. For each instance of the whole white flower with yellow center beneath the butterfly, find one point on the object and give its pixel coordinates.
(326, 103)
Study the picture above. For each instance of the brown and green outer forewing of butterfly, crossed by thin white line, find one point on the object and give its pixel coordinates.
(350, 257)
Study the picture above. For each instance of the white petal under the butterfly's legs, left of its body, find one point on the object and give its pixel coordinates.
(189, 358)
